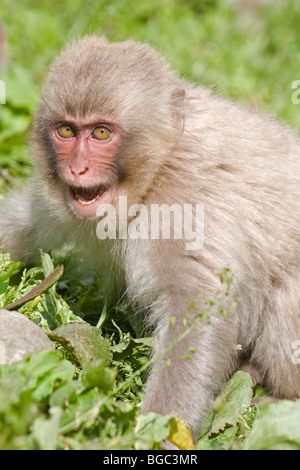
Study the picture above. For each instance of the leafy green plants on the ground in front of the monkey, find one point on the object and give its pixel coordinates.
(86, 394)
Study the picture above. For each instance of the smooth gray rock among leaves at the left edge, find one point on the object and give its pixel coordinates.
(20, 337)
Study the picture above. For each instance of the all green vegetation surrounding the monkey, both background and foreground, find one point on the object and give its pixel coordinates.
(253, 58)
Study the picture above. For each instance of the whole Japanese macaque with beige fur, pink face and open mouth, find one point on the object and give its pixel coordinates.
(116, 124)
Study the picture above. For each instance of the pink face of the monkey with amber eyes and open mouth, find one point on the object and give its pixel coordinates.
(86, 161)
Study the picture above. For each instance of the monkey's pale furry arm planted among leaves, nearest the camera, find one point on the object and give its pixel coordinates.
(195, 346)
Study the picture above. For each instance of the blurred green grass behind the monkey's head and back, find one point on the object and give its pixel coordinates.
(248, 50)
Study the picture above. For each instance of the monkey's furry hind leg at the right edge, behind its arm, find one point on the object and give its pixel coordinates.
(275, 352)
